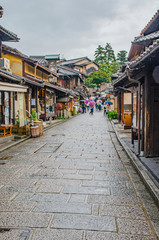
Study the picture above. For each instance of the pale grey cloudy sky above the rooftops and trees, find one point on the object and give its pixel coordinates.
(75, 28)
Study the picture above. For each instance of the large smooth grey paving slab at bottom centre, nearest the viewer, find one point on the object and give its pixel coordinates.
(83, 222)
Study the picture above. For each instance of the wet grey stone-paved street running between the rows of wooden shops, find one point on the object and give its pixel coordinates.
(74, 183)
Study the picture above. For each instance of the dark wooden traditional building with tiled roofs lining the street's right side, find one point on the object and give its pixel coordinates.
(140, 76)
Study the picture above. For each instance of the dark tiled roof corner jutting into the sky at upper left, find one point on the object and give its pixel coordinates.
(7, 35)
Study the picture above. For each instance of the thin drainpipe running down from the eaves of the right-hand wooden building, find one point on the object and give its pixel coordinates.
(139, 107)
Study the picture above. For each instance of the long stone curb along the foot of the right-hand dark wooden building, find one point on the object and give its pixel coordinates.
(139, 167)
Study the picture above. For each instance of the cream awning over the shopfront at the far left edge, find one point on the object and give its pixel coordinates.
(8, 87)
